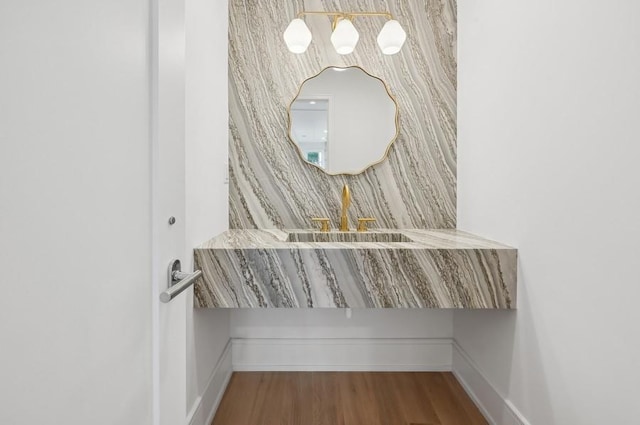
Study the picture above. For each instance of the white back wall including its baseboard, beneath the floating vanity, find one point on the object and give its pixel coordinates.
(325, 339)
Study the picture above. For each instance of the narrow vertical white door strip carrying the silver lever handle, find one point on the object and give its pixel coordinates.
(168, 204)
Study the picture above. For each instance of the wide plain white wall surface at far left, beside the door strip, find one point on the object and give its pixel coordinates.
(75, 319)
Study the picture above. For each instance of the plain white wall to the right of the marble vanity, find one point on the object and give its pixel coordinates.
(549, 144)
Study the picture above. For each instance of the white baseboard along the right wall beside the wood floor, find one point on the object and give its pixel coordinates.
(497, 409)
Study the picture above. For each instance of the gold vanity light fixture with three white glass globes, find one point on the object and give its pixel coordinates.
(345, 37)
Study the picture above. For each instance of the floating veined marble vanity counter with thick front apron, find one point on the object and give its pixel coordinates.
(259, 268)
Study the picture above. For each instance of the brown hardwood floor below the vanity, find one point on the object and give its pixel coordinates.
(346, 398)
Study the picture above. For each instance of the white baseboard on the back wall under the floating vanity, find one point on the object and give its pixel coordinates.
(337, 354)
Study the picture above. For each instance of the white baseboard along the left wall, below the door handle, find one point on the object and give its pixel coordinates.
(205, 406)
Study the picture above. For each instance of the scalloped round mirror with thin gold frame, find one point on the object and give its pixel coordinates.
(343, 120)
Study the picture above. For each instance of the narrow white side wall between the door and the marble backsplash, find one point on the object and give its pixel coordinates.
(206, 192)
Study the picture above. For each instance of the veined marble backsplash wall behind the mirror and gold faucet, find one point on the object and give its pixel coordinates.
(270, 186)
